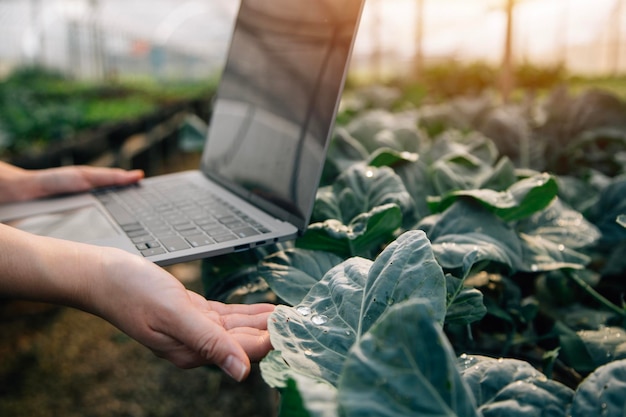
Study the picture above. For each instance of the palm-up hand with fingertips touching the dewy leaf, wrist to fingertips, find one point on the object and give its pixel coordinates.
(179, 325)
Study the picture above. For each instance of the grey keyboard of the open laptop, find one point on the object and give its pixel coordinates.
(164, 217)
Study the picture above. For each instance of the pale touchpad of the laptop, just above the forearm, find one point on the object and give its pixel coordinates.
(84, 224)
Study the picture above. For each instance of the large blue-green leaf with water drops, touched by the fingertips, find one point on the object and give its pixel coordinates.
(315, 336)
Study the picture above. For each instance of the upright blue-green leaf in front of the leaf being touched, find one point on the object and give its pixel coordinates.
(404, 366)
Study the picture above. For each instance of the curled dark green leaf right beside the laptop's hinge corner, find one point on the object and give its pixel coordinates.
(363, 236)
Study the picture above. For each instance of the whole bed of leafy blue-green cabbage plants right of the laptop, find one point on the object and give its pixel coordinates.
(441, 276)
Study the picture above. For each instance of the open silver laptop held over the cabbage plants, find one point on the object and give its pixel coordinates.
(271, 123)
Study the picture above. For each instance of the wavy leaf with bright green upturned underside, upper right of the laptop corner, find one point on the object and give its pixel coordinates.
(519, 201)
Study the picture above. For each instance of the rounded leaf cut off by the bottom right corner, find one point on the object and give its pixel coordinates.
(602, 392)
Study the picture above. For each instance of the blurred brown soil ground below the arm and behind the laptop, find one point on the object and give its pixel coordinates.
(57, 361)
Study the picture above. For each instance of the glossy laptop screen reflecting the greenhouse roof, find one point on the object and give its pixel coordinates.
(277, 100)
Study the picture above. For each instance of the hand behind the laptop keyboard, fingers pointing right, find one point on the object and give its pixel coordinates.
(18, 184)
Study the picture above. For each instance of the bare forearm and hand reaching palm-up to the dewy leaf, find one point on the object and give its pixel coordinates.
(136, 296)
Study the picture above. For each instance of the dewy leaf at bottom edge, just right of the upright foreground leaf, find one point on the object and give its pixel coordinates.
(512, 388)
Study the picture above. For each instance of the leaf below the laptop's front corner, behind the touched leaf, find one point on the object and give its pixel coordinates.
(292, 273)
